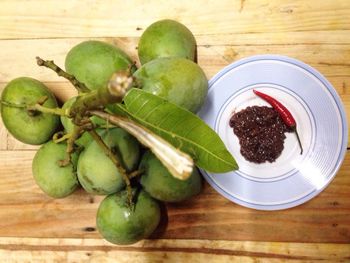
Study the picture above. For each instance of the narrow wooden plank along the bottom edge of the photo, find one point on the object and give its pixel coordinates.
(98, 250)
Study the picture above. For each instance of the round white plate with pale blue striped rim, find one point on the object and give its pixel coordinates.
(293, 178)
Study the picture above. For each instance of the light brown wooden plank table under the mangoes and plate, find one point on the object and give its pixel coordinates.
(35, 228)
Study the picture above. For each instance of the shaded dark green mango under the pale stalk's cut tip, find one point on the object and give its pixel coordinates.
(161, 185)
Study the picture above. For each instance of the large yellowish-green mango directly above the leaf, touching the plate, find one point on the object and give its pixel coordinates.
(177, 80)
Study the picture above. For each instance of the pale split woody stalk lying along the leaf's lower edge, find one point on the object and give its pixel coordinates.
(178, 163)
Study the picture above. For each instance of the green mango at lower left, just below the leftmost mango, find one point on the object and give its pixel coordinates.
(55, 180)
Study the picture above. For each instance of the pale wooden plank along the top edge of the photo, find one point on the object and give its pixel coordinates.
(28, 19)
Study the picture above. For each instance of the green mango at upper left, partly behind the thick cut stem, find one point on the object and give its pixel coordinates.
(94, 62)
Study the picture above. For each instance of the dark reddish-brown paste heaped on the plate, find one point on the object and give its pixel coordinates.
(261, 133)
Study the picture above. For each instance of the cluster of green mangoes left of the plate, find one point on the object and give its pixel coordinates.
(167, 52)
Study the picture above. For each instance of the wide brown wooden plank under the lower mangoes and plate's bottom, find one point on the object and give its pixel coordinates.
(26, 212)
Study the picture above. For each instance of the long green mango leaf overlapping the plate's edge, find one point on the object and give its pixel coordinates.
(180, 127)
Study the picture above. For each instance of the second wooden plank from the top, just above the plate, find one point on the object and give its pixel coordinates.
(19, 58)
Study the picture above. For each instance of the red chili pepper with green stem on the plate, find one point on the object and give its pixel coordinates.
(285, 114)
